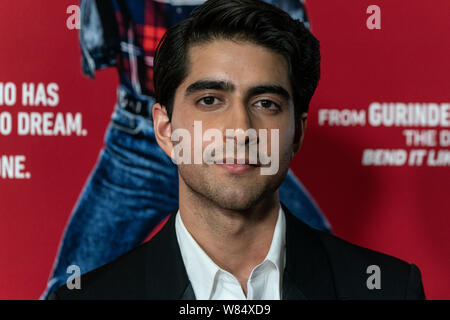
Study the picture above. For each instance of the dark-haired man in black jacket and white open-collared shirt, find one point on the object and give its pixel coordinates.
(240, 65)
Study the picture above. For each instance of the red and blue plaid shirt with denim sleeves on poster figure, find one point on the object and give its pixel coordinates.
(125, 34)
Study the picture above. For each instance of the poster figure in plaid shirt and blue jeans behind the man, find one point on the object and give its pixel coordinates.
(121, 202)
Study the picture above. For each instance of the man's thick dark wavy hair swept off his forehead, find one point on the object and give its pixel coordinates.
(254, 21)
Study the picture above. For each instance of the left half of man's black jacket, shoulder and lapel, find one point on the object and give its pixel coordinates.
(153, 270)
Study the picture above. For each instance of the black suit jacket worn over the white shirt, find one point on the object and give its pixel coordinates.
(318, 266)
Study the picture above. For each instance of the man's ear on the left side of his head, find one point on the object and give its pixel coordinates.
(163, 128)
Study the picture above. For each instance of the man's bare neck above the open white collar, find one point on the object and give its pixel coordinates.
(237, 241)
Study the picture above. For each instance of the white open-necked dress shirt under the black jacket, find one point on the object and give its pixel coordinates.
(210, 282)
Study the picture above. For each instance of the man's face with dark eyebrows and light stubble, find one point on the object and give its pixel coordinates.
(235, 85)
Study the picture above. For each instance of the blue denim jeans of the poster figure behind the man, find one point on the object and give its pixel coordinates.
(132, 188)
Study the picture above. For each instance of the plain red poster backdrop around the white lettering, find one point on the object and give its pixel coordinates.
(400, 210)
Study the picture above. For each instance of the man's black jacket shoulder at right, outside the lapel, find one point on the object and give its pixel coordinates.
(362, 273)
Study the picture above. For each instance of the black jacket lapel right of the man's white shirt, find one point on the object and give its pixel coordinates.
(307, 273)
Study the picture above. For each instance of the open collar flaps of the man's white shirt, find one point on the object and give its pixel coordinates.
(202, 270)
